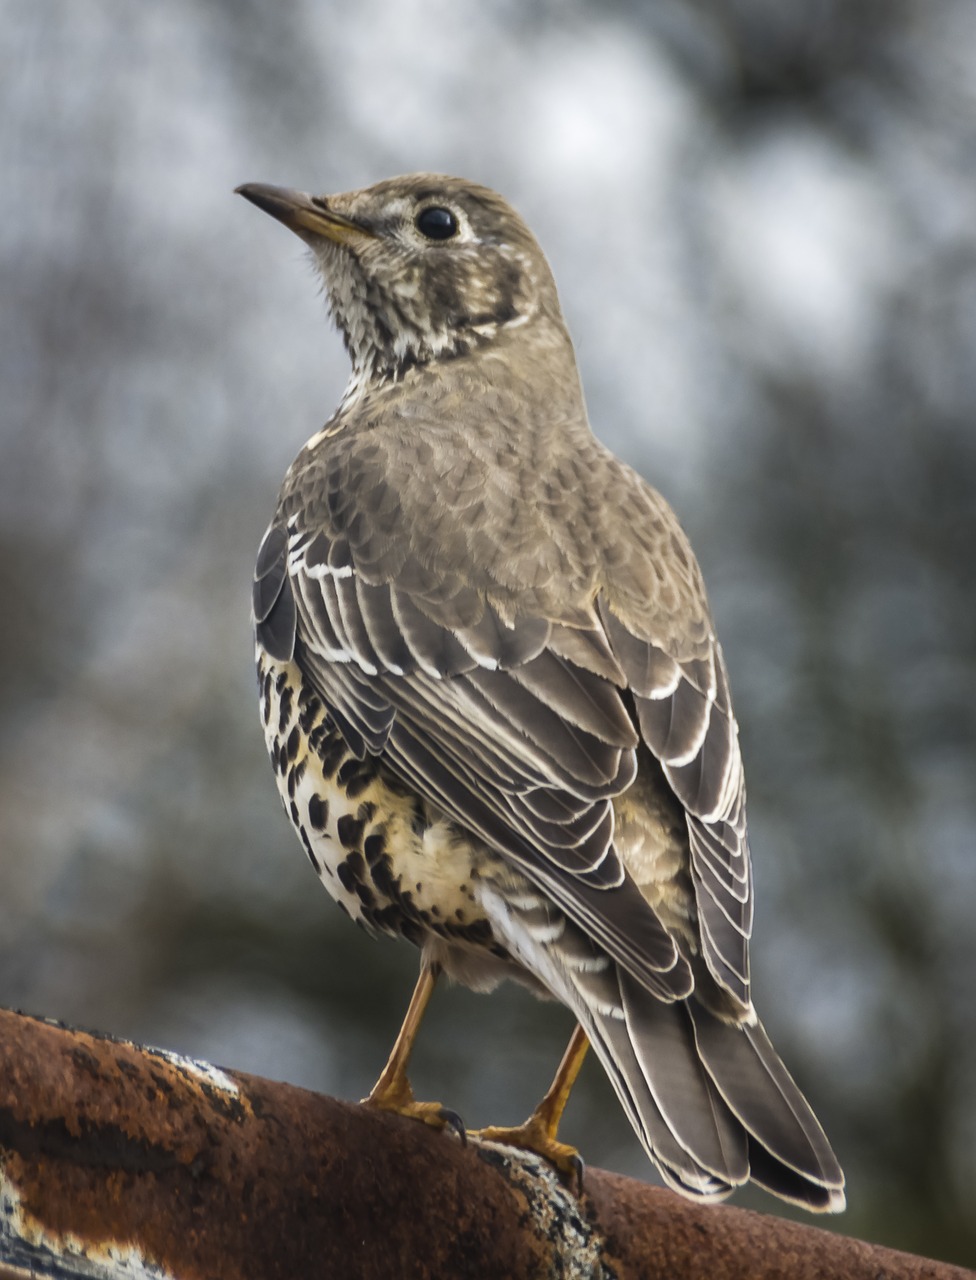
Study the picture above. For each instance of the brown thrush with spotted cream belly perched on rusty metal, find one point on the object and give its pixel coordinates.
(494, 698)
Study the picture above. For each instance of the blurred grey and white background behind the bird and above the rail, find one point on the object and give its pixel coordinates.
(763, 220)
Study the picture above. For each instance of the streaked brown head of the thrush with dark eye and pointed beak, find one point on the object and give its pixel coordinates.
(421, 268)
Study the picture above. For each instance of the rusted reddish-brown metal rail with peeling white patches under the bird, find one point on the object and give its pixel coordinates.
(120, 1163)
